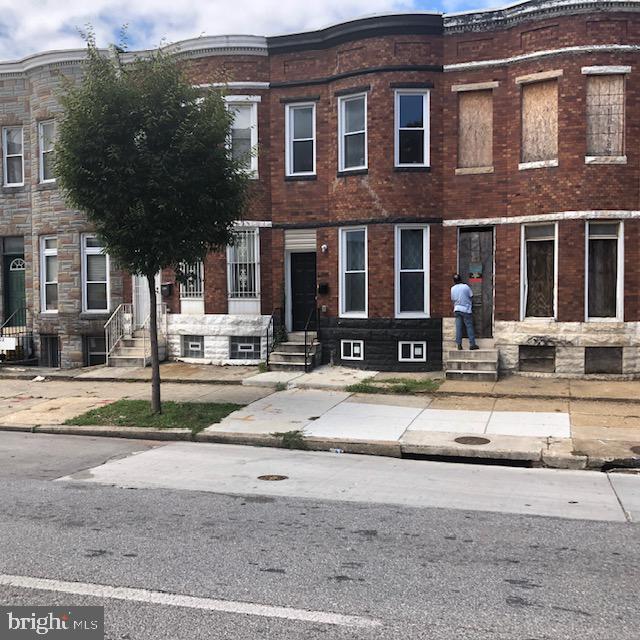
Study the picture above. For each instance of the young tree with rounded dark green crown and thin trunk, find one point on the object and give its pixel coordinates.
(144, 154)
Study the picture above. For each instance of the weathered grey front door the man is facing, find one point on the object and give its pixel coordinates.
(475, 265)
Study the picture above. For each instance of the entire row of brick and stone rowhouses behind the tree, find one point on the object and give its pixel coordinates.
(392, 151)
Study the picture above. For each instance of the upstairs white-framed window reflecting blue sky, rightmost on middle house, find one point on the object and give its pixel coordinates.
(412, 128)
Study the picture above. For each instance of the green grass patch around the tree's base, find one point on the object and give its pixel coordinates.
(175, 415)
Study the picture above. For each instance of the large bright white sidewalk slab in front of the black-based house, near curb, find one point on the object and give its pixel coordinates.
(359, 421)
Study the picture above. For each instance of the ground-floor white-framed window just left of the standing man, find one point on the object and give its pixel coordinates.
(412, 279)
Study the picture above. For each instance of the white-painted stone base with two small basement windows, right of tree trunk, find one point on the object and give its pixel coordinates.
(217, 330)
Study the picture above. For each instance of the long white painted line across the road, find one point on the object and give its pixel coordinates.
(189, 602)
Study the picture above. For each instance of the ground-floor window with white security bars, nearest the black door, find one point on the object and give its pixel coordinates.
(243, 265)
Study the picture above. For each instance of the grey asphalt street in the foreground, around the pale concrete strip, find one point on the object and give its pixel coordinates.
(197, 562)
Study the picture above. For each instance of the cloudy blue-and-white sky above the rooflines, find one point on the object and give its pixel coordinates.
(30, 26)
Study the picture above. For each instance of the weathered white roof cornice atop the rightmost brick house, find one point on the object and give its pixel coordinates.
(509, 15)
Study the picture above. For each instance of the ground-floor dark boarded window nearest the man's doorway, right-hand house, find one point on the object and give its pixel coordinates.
(539, 271)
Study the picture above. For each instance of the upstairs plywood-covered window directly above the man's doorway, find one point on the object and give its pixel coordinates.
(475, 129)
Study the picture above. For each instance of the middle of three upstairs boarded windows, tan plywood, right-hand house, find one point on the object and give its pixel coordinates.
(540, 121)
